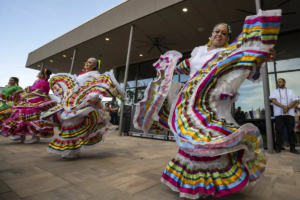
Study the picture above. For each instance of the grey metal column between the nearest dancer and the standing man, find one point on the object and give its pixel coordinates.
(266, 90)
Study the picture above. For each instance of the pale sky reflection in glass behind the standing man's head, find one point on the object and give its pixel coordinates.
(292, 81)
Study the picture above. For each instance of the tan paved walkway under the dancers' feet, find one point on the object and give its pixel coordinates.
(127, 168)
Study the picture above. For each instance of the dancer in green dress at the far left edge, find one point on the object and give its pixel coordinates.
(6, 103)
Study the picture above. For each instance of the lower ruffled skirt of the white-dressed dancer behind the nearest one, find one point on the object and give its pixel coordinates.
(79, 130)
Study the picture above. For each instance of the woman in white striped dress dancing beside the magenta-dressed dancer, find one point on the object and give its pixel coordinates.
(80, 117)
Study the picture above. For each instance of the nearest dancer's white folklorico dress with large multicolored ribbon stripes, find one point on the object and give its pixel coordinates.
(216, 156)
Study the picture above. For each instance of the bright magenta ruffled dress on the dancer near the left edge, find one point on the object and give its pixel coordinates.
(25, 117)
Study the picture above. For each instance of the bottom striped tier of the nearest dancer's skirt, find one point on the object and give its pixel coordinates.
(195, 176)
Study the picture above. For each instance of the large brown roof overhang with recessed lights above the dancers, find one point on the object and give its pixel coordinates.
(152, 19)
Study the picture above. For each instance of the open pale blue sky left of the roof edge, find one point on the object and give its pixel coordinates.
(27, 25)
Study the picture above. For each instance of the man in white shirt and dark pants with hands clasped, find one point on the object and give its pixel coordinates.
(284, 101)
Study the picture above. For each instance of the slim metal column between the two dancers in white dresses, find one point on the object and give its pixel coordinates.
(125, 81)
